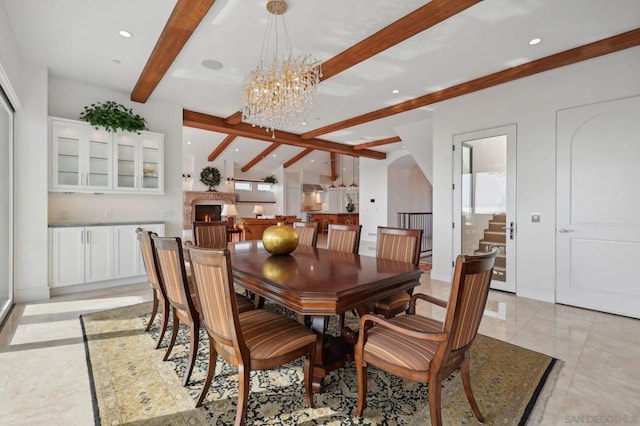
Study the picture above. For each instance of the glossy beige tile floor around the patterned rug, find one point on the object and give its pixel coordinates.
(43, 374)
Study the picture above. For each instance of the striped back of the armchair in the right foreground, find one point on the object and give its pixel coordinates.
(471, 280)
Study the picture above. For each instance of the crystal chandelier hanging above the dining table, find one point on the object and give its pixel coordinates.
(280, 93)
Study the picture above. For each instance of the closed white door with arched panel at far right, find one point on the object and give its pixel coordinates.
(598, 200)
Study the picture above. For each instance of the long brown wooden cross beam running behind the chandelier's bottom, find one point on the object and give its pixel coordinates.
(202, 121)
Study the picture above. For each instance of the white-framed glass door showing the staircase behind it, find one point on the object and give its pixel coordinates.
(485, 199)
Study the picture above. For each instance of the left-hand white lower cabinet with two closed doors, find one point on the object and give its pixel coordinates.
(81, 255)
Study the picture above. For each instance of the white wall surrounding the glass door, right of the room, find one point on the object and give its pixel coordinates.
(531, 103)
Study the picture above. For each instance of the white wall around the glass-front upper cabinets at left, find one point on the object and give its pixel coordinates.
(67, 99)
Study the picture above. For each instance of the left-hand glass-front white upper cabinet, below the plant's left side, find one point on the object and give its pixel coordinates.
(81, 157)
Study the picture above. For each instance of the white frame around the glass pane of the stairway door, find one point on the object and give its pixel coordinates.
(510, 131)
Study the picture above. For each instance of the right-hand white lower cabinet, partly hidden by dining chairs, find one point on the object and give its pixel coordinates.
(128, 258)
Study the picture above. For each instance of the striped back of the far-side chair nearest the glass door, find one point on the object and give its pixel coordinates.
(399, 244)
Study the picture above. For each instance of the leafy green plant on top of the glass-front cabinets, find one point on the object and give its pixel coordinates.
(113, 116)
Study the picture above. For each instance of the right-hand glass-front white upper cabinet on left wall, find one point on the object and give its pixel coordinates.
(139, 162)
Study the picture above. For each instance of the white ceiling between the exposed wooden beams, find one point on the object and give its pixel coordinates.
(78, 40)
